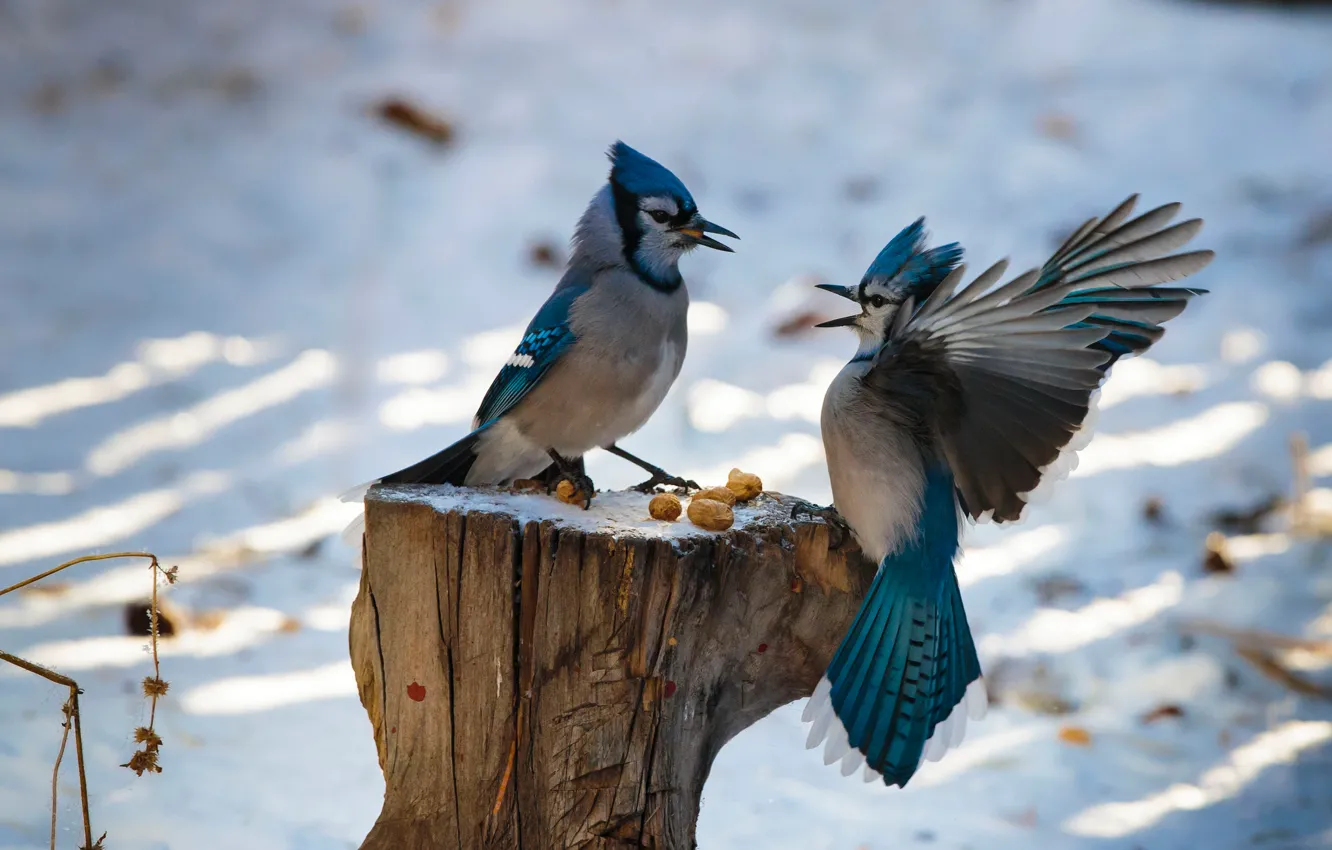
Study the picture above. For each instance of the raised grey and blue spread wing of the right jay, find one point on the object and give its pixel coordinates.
(1001, 379)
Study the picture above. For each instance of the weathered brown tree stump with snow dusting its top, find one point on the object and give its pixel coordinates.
(544, 677)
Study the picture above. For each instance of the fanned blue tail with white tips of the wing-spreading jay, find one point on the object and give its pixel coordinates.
(909, 657)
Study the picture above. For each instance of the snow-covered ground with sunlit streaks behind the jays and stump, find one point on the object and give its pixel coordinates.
(227, 292)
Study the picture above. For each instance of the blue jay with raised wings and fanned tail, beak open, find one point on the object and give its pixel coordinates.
(958, 402)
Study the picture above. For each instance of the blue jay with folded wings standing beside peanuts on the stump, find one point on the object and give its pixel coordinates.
(603, 351)
